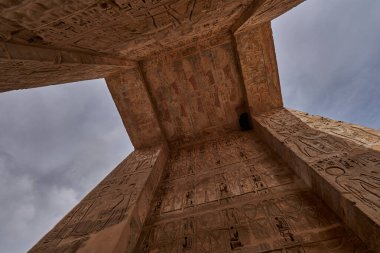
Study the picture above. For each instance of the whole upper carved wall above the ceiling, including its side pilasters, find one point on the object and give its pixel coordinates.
(133, 29)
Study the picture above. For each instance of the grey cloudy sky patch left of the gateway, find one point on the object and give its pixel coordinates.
(56, 144)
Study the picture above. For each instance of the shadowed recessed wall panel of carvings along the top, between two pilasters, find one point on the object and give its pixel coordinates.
(134, 28)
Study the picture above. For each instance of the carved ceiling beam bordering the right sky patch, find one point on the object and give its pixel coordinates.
(259, 68)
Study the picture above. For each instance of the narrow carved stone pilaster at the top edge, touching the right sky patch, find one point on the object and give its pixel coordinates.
(263, 11)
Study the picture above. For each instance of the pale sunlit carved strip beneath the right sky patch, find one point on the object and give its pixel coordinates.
(359, 134)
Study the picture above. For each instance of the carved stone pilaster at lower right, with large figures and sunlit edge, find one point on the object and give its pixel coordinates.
(339, 161)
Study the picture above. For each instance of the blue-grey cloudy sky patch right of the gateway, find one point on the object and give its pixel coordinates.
(328, 60)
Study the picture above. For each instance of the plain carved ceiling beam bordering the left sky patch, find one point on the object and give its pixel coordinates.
(133, 101)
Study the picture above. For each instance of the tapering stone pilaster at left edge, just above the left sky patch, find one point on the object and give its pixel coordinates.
(25, 66)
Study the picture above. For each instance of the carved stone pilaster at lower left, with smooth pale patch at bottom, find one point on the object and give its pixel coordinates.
(110, 217)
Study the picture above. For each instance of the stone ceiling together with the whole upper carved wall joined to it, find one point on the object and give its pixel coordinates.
(178, 70)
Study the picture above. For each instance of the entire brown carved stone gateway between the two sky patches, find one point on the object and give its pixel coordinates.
(201, 65)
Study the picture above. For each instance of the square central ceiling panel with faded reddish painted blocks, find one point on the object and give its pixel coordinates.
(196, 90)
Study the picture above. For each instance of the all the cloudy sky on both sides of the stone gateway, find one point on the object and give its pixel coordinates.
(58, 142)
